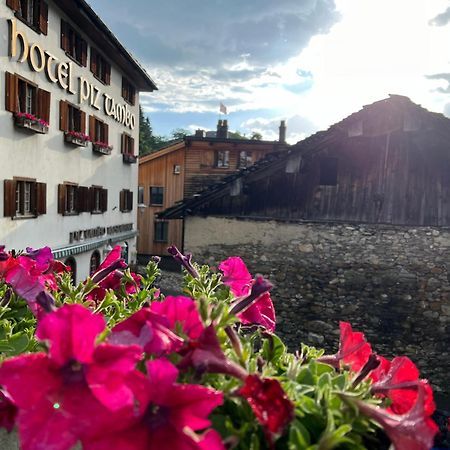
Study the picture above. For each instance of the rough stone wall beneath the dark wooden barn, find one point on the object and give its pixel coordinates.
(390, 282)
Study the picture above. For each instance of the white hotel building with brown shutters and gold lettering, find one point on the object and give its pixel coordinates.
(69, 131)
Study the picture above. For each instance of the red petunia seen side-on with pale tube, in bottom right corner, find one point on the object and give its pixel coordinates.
(411, 431)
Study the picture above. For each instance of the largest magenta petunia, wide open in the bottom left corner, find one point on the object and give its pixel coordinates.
(77, 390)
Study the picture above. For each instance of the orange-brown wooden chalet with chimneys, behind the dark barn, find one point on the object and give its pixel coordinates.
(182, 170)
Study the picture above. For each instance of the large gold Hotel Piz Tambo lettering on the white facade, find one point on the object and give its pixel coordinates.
(62, 74)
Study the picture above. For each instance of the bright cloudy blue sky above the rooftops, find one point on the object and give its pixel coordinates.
(309, 62)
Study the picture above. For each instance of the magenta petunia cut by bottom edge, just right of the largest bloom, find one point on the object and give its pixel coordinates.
(169, 415)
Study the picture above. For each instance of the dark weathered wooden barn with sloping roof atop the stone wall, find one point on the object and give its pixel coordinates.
(386, 164)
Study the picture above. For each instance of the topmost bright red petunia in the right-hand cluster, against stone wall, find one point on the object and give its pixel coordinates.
(353, 349)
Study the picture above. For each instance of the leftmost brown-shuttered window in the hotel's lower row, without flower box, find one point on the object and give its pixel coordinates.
(24, 198)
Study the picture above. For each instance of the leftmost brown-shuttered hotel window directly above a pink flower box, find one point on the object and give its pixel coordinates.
(23, 96)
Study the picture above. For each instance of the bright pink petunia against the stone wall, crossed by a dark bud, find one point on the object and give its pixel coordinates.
(258, 307)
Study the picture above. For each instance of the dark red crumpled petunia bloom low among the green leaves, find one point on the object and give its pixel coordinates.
(269, 402)
